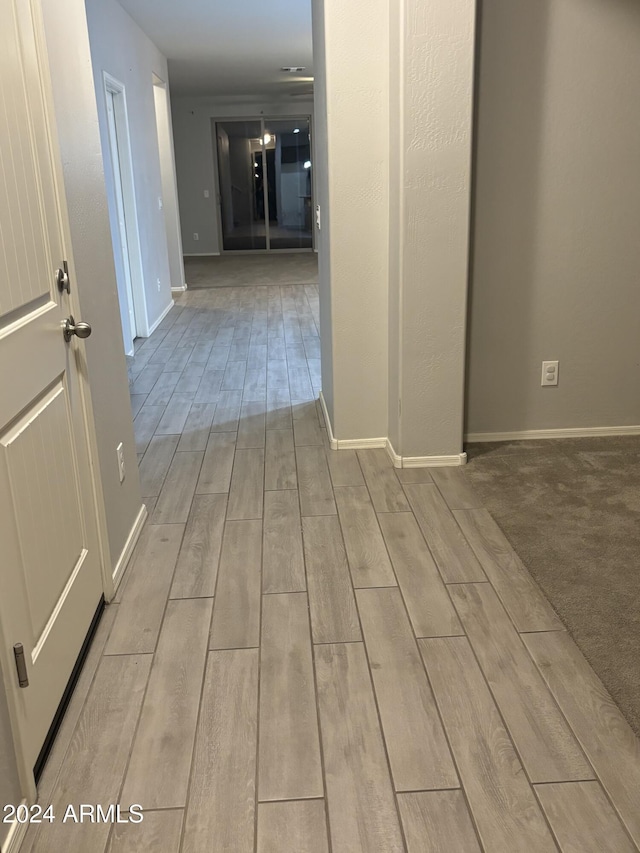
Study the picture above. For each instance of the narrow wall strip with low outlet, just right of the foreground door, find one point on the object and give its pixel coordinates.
(84, 186)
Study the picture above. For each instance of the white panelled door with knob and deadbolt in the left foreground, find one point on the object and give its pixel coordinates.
(50, 567)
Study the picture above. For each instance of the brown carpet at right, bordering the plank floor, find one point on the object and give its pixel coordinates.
(571, 510)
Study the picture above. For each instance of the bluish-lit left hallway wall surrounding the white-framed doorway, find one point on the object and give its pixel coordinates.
(119, 47)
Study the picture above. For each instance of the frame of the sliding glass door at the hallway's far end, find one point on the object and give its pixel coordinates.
(221, 120)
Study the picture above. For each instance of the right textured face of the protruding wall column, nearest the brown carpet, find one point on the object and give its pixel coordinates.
(431, 174)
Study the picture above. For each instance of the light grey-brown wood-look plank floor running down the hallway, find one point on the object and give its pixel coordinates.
(312, 651)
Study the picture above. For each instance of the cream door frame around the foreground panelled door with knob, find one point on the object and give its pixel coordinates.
(7, 664)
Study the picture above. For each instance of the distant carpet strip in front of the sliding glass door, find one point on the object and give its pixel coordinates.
(250, 270)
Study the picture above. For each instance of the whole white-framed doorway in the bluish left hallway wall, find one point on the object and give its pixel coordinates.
(125, 236)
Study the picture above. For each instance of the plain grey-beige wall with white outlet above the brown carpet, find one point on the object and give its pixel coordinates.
(556, 268)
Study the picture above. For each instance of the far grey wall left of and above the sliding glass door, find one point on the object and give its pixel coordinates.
(195, 159)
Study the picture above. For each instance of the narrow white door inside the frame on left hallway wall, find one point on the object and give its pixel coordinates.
(123, 264)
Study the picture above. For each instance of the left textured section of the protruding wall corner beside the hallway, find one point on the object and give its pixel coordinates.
(354, 242)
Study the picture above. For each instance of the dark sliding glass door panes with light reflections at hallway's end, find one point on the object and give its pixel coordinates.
(265, 184)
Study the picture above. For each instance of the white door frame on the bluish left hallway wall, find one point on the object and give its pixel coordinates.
(113, 88)
